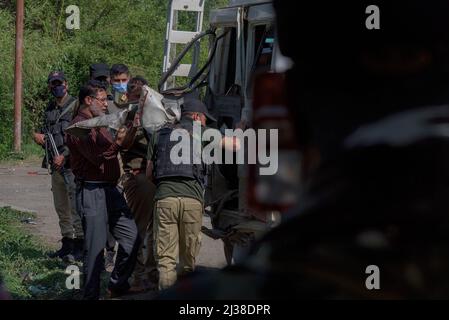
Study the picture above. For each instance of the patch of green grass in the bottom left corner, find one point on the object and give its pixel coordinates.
(27, 271)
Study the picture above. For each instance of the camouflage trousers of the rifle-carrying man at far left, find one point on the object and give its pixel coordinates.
(64, 199)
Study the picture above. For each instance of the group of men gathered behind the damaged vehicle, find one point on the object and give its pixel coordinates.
(106, 186)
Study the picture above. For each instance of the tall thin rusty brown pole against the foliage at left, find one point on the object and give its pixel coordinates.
(18, 77)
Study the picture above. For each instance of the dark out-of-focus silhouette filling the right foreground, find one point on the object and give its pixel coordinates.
(373, 104)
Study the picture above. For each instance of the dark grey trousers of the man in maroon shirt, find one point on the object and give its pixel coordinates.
(102, 206)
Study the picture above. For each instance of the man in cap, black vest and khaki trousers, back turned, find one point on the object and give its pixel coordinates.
(179, 197)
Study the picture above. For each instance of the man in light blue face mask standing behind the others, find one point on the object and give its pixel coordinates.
(119, 75)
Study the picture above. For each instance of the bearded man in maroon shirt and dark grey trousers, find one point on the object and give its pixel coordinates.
(99, 201)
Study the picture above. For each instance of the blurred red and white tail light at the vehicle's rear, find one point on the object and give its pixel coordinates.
(279, 191)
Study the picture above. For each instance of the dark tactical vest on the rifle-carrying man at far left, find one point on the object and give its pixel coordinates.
(56, 120)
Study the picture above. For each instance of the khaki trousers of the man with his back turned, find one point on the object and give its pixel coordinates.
(177, 230)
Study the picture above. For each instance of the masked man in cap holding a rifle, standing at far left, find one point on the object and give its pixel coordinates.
(57, 117)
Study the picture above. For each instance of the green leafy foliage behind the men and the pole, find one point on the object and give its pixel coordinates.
(111, 31)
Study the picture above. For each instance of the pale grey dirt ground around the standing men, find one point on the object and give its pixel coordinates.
(26, 187)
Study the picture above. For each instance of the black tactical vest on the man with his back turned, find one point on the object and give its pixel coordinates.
(165, 168)
